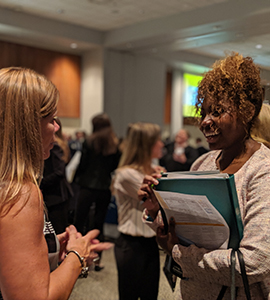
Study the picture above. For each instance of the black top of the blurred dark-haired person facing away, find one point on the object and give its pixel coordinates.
(94, 170)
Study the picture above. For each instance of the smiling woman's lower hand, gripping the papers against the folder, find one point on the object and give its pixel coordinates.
(167, 240)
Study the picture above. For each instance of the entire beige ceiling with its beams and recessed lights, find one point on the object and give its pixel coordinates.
(182, 32)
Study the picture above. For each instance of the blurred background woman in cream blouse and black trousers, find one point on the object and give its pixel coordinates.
(136, 250)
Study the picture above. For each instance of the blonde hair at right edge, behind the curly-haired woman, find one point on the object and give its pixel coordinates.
(261, 131)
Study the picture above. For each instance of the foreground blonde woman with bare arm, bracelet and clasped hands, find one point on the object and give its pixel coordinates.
(28, 103)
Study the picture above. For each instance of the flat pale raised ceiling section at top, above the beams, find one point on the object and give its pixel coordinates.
(105, 14)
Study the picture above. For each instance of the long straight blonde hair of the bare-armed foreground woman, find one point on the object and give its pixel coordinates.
(25, 98)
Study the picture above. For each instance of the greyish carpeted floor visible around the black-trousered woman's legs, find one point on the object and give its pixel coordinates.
(103, 285)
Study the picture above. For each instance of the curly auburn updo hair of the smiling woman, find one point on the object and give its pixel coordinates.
(235, 79)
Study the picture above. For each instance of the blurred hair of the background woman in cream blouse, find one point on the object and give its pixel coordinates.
(137, 153)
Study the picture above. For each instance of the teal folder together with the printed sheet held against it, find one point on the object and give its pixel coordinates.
(205, 207)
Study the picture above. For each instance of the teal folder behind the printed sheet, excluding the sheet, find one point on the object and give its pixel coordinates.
(220, 191)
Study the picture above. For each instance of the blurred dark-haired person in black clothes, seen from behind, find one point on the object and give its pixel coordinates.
(100, 157)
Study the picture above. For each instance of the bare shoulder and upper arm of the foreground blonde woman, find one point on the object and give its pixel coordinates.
(24, 253)
